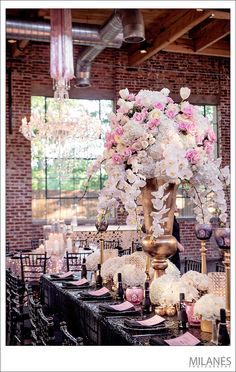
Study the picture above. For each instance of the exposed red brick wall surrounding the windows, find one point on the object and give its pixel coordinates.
(205, 76)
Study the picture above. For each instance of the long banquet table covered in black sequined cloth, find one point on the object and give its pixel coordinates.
(84, 319)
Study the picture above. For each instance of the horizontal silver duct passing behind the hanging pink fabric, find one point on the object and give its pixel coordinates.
(40, 31)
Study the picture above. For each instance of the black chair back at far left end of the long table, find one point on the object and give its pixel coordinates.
(33, 265)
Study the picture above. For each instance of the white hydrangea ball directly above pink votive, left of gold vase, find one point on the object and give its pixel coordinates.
(131, 276)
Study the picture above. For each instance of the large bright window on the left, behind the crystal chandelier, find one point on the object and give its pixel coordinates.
(58, 182)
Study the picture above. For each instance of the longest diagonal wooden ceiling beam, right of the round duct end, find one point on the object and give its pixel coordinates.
(168, 36)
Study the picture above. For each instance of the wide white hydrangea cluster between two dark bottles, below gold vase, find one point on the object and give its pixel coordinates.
(165, 291)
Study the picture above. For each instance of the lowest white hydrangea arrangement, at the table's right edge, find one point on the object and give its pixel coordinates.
(208, 307)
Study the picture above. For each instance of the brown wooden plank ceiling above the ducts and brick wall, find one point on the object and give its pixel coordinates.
(191, 31)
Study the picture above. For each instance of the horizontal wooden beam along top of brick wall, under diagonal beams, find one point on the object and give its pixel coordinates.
(219, 49)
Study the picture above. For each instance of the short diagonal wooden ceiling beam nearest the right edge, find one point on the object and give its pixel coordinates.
(210, 34)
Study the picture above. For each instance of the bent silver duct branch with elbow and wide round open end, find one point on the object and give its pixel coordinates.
(130, 21)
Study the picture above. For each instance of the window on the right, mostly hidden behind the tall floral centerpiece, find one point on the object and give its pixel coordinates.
(185, 207)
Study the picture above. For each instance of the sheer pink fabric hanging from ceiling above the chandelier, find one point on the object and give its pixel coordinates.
(61, 48)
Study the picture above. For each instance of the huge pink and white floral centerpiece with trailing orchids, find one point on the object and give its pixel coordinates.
(153, 137)
